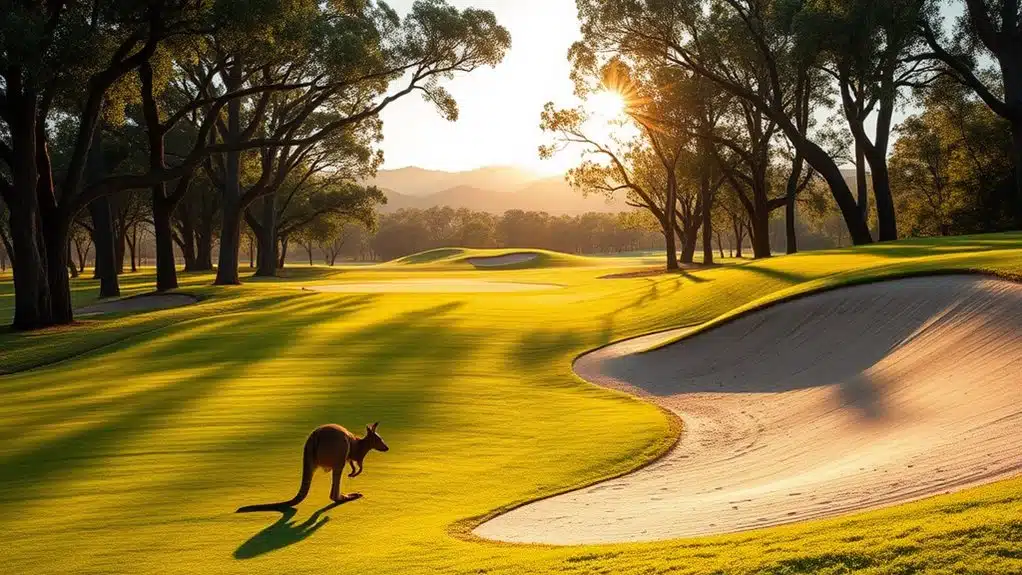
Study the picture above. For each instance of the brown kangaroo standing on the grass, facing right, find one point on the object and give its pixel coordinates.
(331, 447)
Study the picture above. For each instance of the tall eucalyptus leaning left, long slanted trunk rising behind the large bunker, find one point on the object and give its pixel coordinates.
(744, 46)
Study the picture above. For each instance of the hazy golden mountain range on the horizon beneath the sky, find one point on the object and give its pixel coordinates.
(494, 189)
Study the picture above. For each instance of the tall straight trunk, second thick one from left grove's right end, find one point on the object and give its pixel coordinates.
(230, 234)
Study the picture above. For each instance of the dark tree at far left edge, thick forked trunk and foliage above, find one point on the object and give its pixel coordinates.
(62, 59)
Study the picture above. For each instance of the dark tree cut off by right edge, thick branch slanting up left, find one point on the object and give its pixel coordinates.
(989, 30)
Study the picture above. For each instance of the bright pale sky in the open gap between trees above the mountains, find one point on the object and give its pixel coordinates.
(500, 108)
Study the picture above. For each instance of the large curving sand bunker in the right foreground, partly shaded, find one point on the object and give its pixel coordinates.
(851, 400)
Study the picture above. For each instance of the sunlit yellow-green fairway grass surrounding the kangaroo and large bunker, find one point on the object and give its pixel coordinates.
(132, 457)
